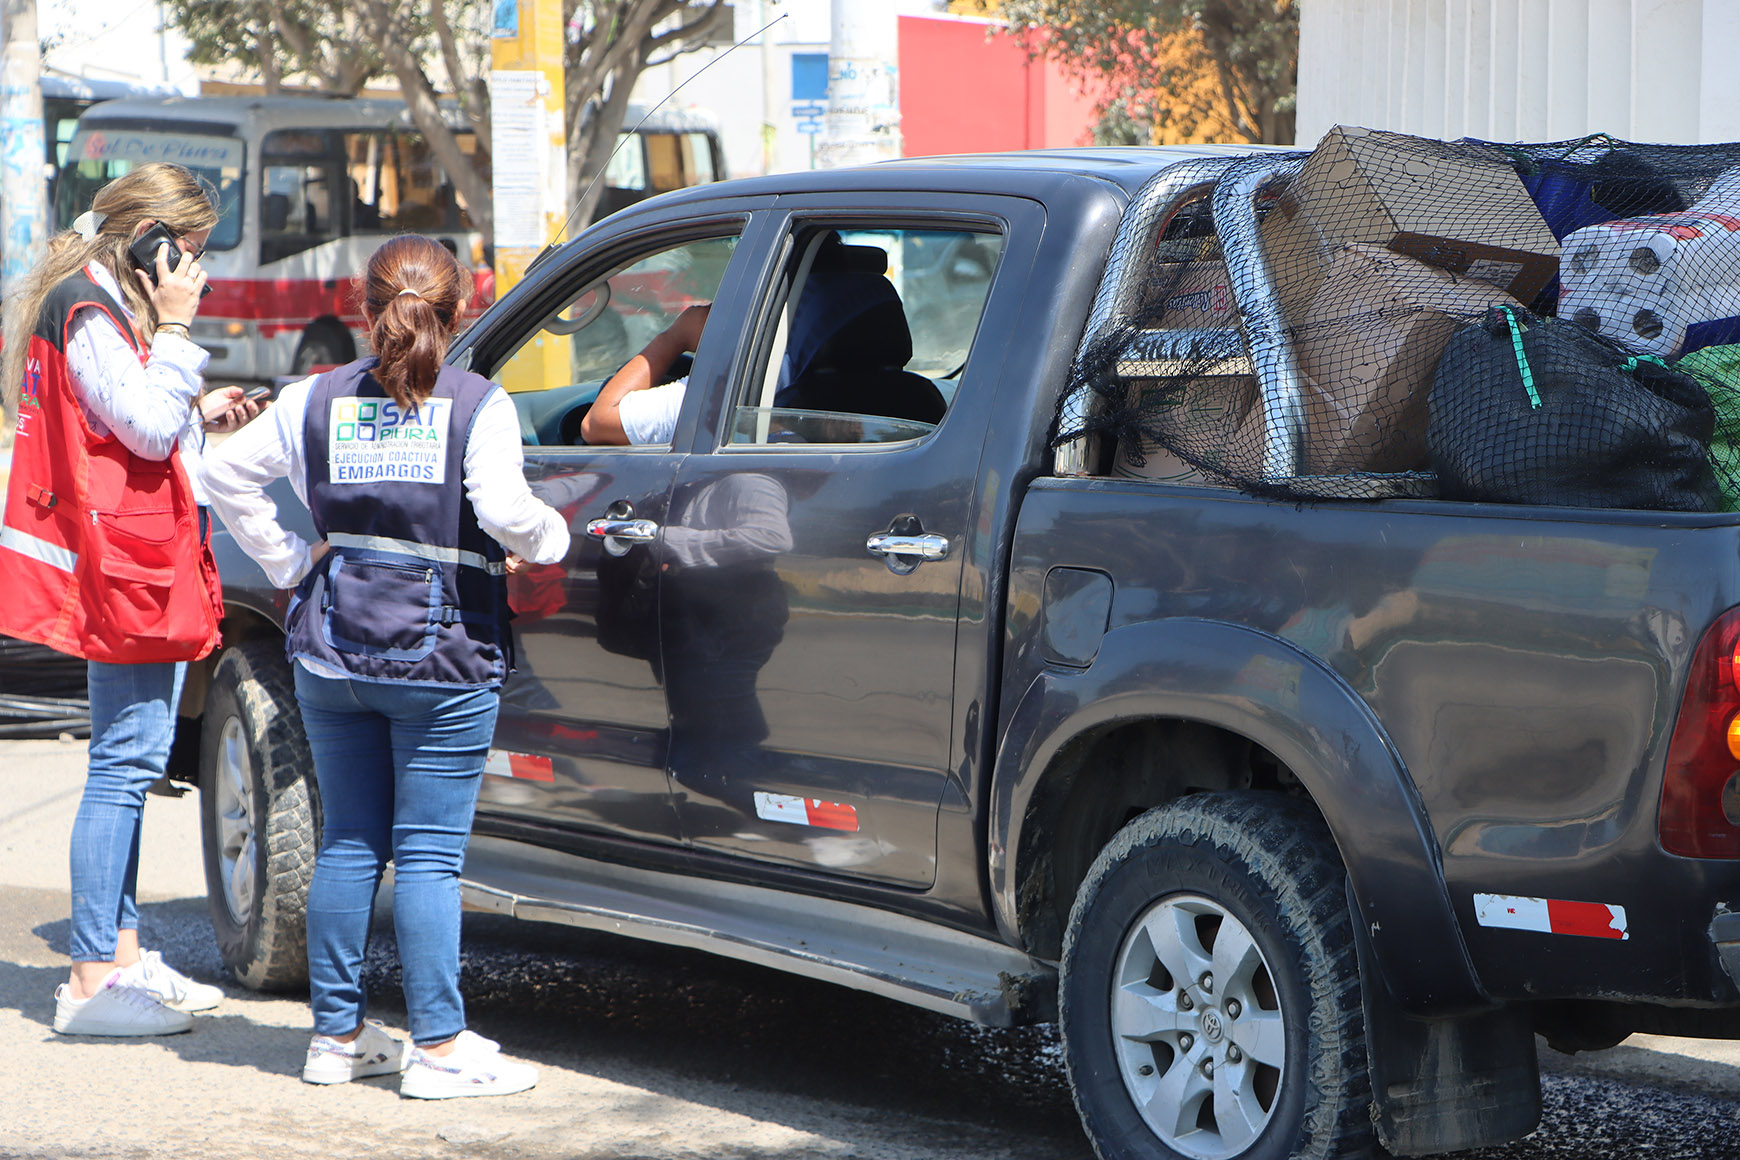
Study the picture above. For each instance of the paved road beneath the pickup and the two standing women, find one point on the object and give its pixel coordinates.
(646, 1053)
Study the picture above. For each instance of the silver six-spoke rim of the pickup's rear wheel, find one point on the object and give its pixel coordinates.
(1196, 1027)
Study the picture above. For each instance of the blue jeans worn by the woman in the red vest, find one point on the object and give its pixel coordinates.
(133, 724)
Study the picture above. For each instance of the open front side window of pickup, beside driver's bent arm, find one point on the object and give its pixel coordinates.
(605, 321)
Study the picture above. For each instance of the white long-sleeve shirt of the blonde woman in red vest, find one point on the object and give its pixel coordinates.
(152, 408)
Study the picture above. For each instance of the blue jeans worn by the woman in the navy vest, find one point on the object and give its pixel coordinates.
(399, 768)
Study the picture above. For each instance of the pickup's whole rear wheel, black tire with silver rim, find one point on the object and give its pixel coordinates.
(1285, 1034)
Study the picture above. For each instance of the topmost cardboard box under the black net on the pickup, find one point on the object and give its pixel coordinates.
(1459, 208)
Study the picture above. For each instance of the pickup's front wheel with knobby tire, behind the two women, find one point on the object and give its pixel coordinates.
(260, 817)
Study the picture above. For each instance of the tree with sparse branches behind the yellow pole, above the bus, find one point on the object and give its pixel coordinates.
(443, 48)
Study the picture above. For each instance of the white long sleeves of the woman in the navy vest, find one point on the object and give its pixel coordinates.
(239, 470)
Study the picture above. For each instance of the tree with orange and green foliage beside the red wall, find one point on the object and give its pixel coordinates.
(1179, 70)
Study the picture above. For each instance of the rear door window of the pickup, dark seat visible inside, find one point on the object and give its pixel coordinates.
(871, 337)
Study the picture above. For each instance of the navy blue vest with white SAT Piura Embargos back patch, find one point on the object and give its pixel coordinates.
(413, 589)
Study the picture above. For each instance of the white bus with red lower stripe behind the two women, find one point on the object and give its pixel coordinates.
(307, 190)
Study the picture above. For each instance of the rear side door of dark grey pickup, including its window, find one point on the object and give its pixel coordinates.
(812, 552)
